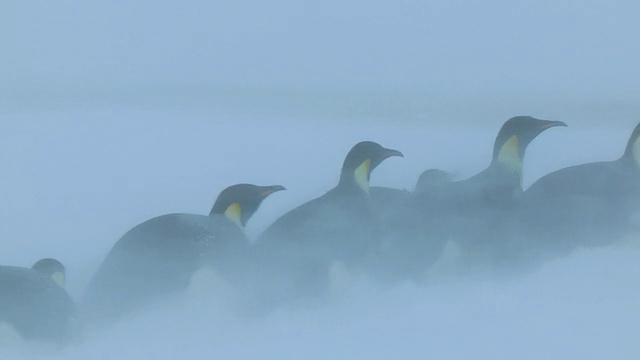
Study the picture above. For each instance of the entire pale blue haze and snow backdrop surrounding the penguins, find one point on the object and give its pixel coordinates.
(113, 113)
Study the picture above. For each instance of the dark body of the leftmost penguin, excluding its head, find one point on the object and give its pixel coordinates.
(36, 306)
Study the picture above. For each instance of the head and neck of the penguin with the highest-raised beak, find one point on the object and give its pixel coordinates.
(514, 137)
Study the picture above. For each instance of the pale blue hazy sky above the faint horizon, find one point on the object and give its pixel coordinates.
(527, 52)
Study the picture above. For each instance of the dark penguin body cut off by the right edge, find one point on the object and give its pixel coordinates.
(583, 205)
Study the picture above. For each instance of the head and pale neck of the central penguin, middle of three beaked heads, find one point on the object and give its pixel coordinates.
(360, 162)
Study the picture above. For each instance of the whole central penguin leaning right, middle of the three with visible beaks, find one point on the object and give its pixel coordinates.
(300, 247)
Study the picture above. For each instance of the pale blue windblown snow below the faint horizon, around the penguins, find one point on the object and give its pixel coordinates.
(72, 187)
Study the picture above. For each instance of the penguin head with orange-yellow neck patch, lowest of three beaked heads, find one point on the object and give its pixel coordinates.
(239, 202)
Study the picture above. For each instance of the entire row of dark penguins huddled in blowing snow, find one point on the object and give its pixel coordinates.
(390, 235)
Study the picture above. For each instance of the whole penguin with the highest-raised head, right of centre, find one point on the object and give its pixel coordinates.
(472, 213)
